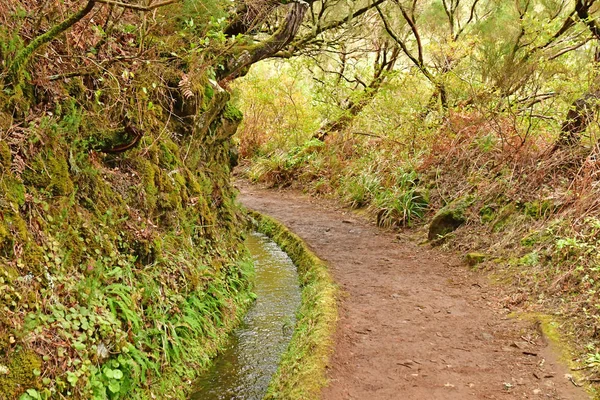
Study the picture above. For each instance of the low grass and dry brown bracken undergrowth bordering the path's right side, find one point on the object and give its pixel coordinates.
(531, 214)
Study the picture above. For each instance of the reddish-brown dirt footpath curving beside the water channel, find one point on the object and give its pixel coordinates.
(415, 323)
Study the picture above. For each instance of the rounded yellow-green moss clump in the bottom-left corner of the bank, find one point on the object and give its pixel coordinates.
(22, 368)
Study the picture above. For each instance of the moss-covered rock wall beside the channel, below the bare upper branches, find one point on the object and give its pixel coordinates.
(120, 273)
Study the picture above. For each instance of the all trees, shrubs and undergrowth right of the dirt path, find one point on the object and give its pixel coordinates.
(479, 114)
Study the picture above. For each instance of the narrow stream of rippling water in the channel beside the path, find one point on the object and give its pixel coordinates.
(244, 369)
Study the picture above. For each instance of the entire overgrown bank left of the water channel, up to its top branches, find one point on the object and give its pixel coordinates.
(122, 265)
